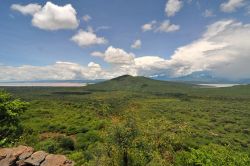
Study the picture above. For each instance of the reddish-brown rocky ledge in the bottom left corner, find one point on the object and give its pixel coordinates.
(26, 156)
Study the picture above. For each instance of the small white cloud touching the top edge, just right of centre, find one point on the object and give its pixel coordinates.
(172, 7)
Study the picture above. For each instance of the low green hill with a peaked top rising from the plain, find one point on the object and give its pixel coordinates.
(139, 83)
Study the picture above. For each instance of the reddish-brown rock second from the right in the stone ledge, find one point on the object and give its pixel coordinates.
(36, 158)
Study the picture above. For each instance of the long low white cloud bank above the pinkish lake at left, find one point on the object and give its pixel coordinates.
(58, 71)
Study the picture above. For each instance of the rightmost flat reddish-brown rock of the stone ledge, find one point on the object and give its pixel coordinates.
(56, 160)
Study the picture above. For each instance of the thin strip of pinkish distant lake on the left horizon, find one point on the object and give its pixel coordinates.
(49, 84)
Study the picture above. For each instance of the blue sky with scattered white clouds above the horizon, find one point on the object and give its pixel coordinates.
(116, 25)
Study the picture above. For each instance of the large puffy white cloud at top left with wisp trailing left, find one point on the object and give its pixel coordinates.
(50, 16)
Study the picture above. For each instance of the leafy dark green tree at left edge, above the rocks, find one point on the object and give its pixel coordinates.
(10, 110)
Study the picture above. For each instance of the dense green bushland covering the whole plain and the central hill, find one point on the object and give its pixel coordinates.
(139, 121)
